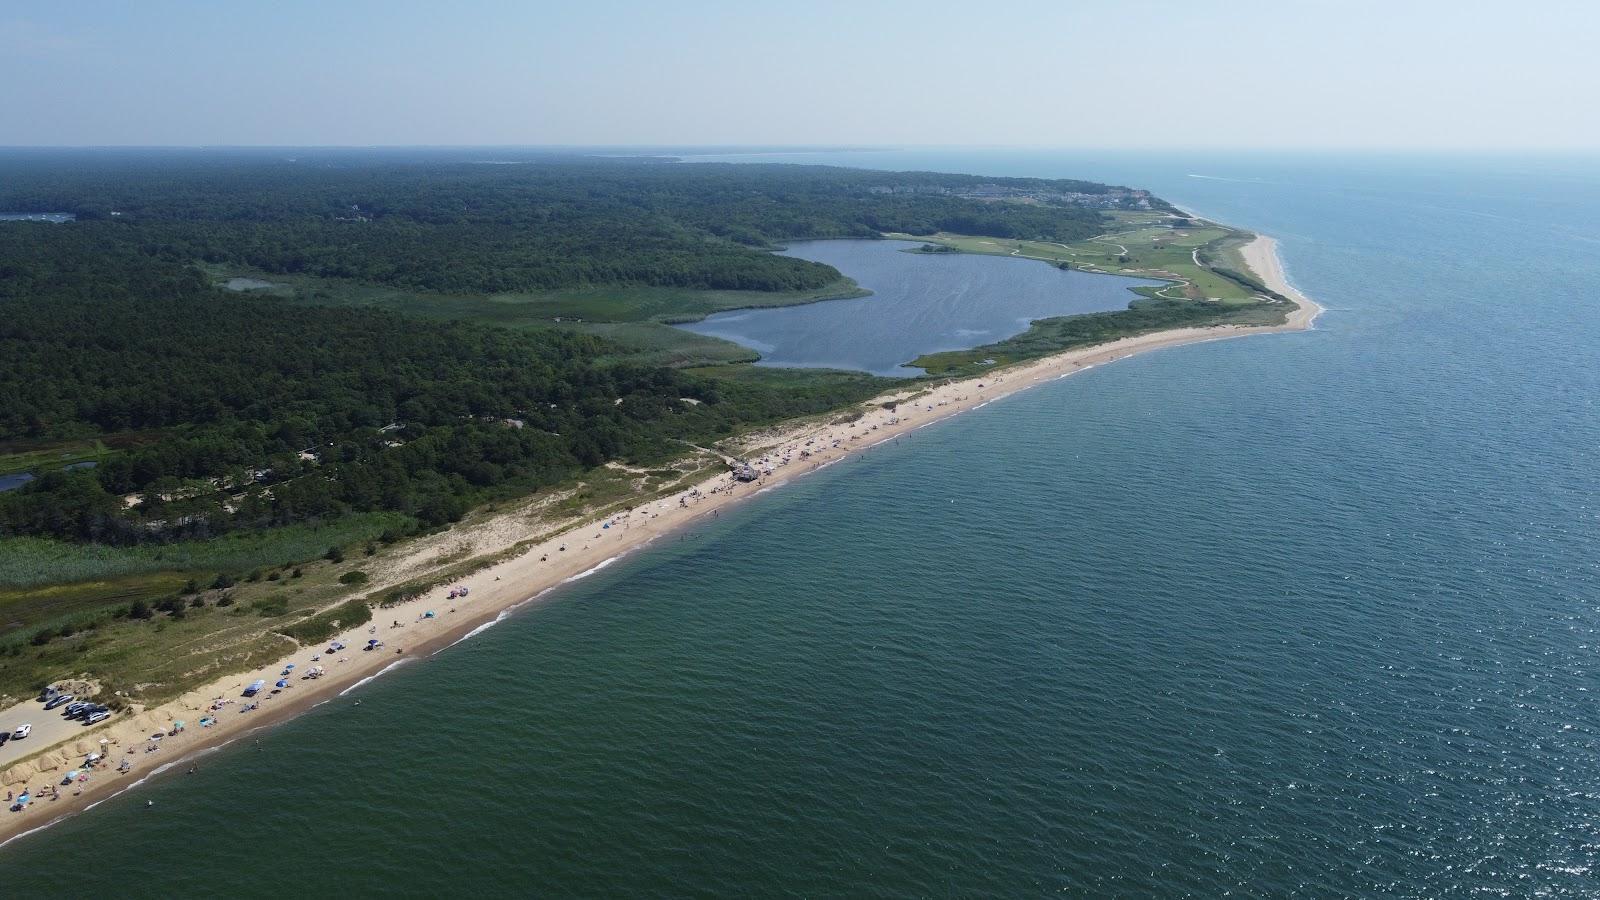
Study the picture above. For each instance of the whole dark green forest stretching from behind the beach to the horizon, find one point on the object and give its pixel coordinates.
(239, 412)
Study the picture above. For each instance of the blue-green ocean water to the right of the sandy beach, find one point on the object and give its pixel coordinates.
(1289, 616)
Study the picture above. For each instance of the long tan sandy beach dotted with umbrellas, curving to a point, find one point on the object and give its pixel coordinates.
(434, 622)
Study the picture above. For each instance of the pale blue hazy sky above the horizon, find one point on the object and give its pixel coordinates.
(1111, 74)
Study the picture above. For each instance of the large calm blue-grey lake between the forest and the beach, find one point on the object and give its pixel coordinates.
(921, 303)
